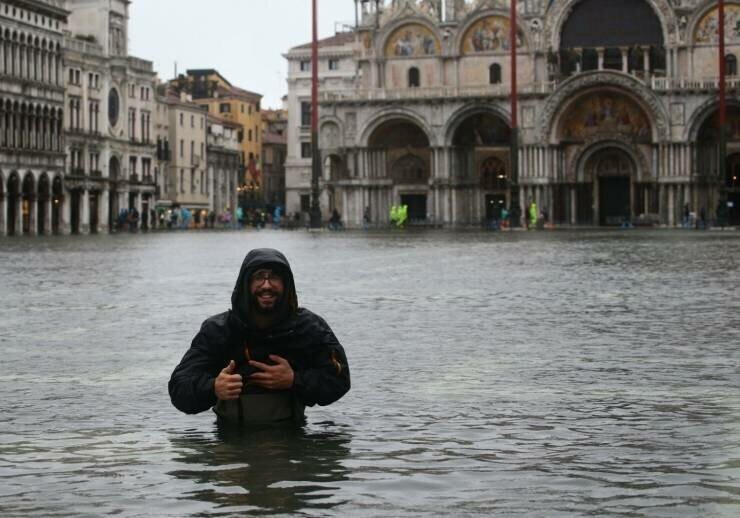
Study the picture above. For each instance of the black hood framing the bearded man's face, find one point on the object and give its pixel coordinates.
(256, 259)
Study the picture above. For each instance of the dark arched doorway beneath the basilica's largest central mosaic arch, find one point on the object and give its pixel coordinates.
(612, 171)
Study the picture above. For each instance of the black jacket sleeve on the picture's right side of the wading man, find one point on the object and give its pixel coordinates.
(327, 378)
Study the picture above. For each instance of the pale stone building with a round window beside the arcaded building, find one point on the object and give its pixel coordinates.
(110, 103)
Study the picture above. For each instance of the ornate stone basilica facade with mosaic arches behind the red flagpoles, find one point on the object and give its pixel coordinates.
(617, 112)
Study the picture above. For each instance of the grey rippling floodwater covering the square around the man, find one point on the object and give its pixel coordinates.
(585, 373)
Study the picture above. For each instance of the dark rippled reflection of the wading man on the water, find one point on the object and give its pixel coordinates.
(265, 470)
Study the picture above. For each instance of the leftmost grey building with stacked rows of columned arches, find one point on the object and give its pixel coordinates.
(32, 196)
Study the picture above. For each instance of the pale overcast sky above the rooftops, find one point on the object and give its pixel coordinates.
(242, 39)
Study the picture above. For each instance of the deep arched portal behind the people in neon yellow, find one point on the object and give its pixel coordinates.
(407, 163)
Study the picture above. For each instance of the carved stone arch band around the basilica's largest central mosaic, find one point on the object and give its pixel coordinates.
(627, 85)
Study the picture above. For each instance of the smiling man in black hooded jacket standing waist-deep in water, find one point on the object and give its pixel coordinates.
(266, 359)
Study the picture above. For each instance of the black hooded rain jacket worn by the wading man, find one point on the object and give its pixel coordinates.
(321, 373)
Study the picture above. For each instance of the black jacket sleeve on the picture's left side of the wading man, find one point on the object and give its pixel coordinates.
(191, 384)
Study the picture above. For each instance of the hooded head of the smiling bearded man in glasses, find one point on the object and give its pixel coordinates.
(264, 294)
